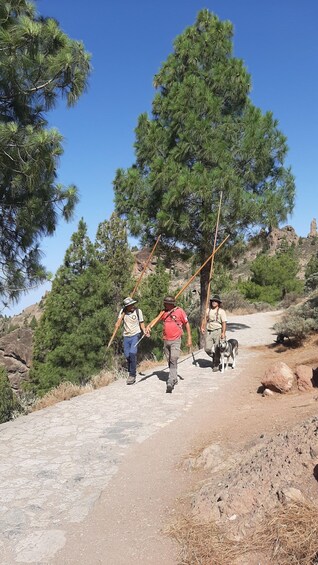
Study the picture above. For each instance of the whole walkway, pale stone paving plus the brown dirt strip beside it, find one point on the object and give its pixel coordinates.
(96, 479)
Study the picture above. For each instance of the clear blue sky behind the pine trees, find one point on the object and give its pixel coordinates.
(129, 40)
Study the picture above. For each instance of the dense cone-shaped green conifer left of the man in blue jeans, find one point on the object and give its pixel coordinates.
(70, 340)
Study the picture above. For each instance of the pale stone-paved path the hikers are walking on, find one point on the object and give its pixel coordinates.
(55, 463)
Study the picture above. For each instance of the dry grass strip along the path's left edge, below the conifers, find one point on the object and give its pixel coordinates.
(67, 390)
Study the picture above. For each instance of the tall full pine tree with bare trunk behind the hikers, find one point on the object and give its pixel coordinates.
(204, 137)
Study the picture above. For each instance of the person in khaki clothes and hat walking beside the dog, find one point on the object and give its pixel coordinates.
(215, 330)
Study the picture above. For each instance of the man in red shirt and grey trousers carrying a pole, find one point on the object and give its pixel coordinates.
(174, 318)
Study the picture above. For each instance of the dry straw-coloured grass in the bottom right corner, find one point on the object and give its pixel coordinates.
(288, 536)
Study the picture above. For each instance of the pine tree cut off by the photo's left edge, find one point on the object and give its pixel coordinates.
(38, 65)
